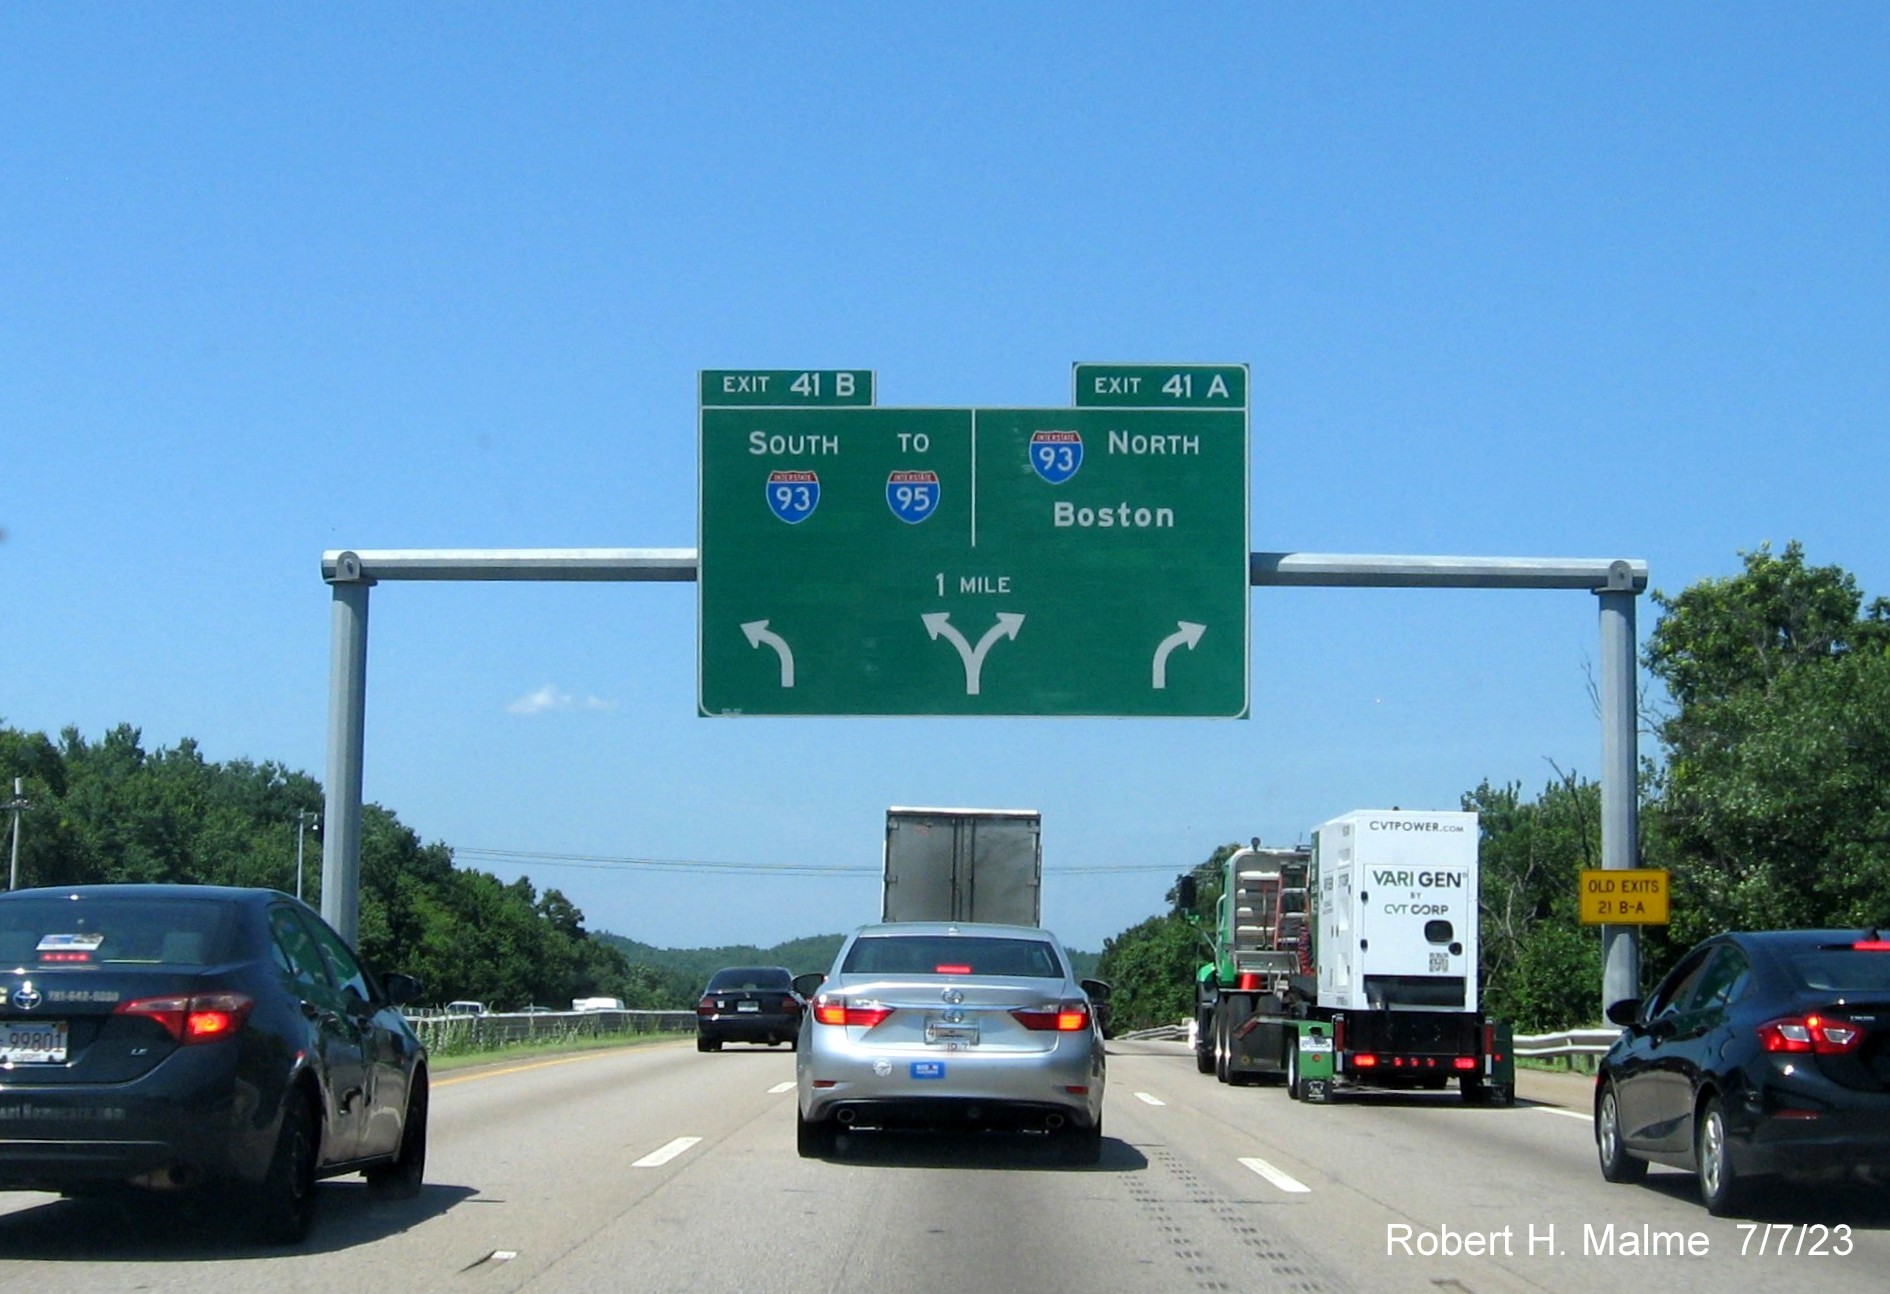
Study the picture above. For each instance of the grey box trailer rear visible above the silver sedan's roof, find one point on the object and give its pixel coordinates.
(965, 866)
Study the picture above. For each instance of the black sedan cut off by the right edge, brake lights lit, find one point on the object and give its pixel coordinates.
(1762, 1055)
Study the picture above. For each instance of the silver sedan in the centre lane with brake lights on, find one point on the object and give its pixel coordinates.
(931, 1025)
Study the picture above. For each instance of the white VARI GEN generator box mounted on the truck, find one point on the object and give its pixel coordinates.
(1396, 898)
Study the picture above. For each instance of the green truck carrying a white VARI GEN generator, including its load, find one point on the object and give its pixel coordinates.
(1352, 964)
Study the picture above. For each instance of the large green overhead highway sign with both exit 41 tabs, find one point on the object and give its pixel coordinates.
(863, 560)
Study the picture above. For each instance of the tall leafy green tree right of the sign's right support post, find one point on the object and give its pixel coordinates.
(1776, 794)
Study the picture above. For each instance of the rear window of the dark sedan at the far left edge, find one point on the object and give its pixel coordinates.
(112, 932)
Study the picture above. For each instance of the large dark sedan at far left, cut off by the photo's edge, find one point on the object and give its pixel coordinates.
(201, 1040)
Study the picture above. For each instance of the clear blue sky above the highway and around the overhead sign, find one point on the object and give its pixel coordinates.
(1513, 282)
